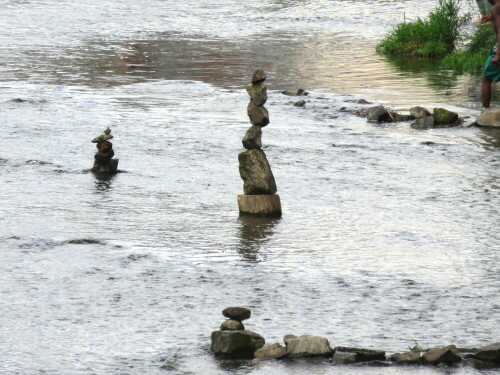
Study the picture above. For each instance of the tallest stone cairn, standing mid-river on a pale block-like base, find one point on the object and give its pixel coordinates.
(259, 186)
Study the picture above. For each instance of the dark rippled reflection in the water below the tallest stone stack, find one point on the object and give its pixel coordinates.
(254, 232)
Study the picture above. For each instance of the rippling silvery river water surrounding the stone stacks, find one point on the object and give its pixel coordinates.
(388, 235)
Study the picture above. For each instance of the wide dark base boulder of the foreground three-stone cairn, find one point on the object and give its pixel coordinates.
(236, 344)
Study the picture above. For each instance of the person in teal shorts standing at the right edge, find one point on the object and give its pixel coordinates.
(491, 71)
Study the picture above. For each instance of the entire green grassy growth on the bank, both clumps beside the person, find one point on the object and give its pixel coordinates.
(439, 35)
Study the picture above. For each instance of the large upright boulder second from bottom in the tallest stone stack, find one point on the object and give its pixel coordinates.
(256, 173)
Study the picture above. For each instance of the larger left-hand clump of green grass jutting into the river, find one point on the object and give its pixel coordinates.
(434, 36)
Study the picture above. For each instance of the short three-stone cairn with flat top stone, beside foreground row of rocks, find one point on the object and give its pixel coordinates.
(233, 341)
